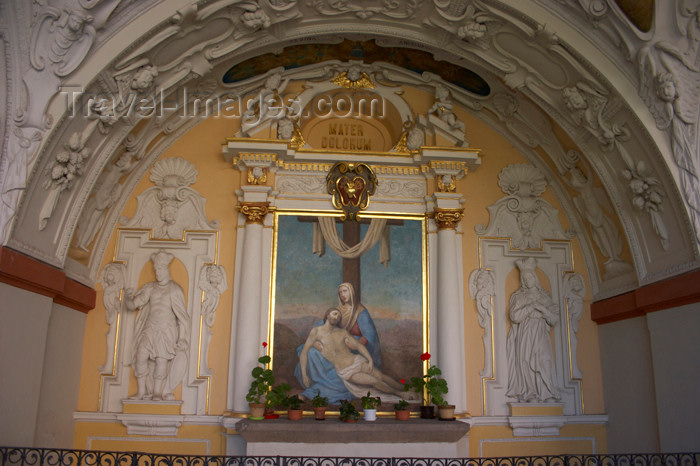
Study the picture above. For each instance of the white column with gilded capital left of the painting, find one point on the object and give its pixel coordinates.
(247, 349)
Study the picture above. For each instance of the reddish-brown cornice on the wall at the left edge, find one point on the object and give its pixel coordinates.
(29, 274)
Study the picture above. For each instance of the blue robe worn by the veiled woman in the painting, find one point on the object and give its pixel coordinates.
(324, 378)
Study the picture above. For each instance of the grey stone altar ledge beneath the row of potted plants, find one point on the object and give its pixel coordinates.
(308, 430)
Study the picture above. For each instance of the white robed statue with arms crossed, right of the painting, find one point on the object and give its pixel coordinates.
(531, 374)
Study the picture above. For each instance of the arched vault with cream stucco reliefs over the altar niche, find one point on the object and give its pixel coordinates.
(608, 90)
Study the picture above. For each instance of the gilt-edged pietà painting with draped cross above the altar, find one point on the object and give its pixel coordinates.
(349, 300)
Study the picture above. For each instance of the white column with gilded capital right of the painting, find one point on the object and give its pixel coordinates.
(450, 324)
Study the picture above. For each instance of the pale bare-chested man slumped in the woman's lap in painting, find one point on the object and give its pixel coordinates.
(356, 370)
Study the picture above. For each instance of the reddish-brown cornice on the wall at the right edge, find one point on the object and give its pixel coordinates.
(674, 292)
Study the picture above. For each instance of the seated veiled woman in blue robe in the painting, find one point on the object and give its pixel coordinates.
(321, 373)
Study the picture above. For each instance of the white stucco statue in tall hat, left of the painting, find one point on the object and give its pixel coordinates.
(159, 357)
